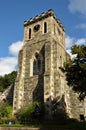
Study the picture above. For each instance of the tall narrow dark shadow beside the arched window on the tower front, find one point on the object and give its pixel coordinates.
(38, 93)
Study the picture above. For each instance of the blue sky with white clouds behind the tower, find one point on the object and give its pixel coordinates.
(13, 13)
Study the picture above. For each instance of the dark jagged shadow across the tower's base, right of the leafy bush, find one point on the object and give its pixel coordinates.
(57, 111)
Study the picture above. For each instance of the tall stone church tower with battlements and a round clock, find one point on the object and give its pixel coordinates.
(39, 77)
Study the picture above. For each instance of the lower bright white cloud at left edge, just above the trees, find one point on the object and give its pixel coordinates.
(7, 65)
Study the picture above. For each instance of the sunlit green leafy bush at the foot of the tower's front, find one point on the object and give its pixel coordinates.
(28, 114)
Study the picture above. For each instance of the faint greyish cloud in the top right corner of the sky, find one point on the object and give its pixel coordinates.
(77, 6)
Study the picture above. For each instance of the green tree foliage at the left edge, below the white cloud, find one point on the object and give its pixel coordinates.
(7, 80)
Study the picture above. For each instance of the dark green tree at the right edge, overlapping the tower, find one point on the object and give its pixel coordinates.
(75, 70)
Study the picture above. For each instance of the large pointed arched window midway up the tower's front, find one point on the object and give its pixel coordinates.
(37, 64)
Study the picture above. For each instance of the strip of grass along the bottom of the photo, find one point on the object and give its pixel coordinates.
(51, 124)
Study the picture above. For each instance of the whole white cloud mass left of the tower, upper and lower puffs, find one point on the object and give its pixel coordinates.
(8, 64)
